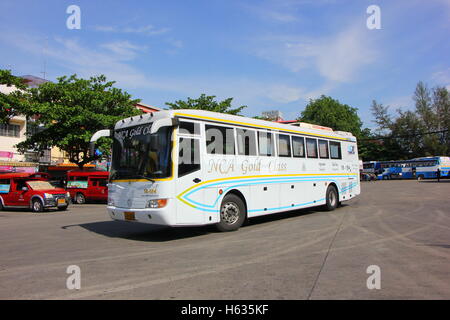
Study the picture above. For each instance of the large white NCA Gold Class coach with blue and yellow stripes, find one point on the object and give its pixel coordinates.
(194, 167)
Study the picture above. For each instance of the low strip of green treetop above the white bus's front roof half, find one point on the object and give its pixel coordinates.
(208, 103)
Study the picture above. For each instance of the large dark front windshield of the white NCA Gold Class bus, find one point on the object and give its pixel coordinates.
(133, 158)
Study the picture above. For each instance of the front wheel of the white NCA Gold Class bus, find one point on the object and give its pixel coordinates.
(232, 213)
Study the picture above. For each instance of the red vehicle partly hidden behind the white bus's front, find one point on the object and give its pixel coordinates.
(87, 185)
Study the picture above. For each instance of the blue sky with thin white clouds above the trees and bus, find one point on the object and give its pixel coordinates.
(268, 55)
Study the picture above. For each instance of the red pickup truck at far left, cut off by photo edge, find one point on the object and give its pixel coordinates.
(31, 190)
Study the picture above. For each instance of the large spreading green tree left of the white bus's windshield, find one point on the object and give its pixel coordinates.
(71, 111)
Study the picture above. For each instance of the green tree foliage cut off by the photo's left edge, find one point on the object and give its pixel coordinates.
(10, 104)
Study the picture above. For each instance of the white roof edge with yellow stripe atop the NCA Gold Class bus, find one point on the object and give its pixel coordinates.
(307, 129)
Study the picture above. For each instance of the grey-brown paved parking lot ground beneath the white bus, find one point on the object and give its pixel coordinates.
(403, 227)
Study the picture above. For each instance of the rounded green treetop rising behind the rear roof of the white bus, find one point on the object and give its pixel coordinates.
(326, 111)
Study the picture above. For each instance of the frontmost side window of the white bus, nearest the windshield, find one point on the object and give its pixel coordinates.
(188, 156)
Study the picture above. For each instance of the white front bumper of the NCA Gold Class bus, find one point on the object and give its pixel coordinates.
(161, 216)
